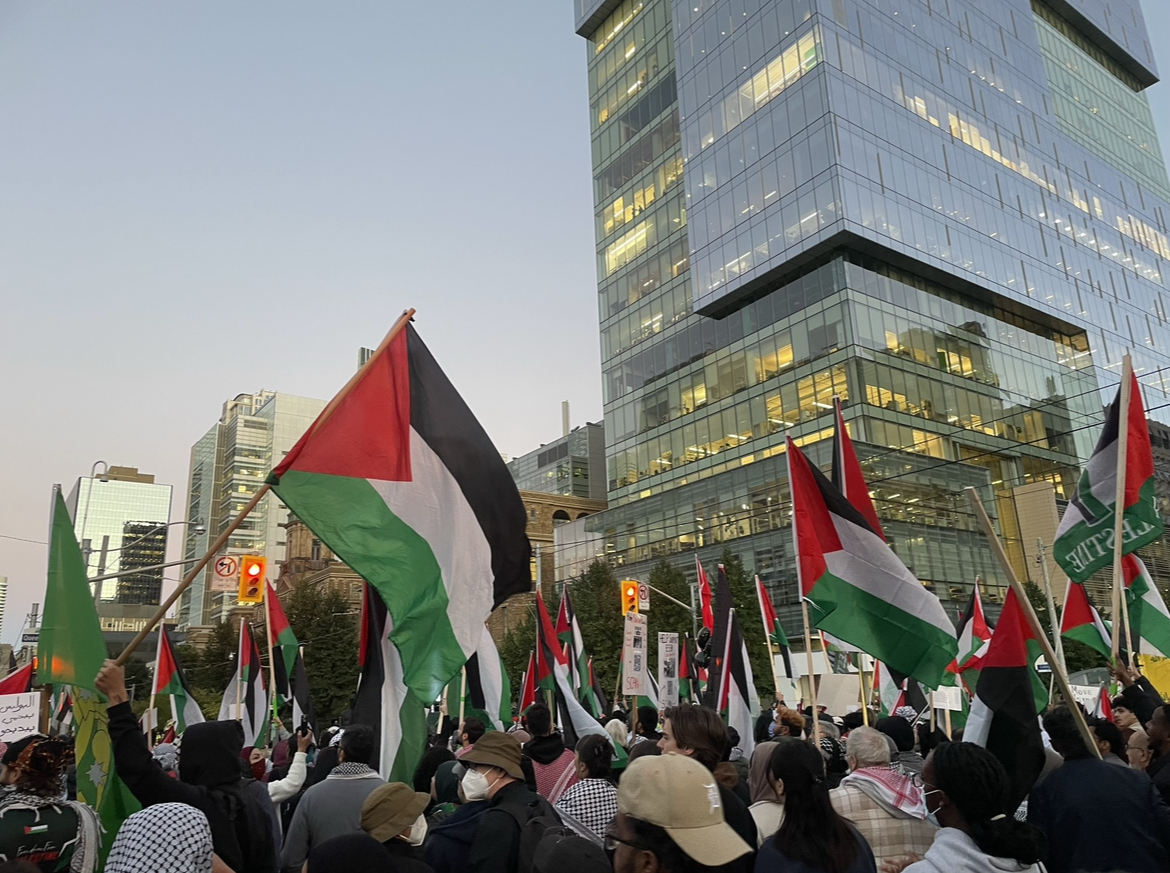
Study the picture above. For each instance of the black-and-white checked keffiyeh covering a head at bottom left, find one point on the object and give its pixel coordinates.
(166, 838)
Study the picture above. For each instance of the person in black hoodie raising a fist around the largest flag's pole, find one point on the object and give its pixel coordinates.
(243, 821)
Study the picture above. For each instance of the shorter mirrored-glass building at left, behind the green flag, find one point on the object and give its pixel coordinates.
(122, 520)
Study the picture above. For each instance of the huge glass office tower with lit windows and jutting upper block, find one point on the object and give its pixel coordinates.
(952, 215)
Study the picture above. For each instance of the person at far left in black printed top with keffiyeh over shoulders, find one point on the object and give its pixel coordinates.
(35, 803)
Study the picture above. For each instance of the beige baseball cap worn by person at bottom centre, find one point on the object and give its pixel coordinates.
(682, 796)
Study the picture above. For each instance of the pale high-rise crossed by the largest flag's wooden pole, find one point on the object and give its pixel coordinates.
(229, 465)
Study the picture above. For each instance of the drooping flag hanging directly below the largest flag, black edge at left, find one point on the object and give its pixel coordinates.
(383, 699)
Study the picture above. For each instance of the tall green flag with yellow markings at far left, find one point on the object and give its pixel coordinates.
(71, 652)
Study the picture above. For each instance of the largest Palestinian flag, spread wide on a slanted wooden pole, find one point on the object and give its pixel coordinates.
(402, 483)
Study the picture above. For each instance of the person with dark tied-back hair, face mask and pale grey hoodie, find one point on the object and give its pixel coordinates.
(967, 790)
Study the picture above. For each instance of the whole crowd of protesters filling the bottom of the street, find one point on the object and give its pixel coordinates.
(656, 793)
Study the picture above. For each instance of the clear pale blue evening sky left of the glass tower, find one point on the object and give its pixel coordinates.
(204, 200)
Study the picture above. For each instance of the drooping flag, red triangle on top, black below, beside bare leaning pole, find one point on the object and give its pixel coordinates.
(1008, 700)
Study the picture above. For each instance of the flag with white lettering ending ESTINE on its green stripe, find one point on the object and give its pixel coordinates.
(1084, 540)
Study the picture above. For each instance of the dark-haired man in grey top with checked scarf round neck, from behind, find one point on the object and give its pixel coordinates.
(333, 808)
